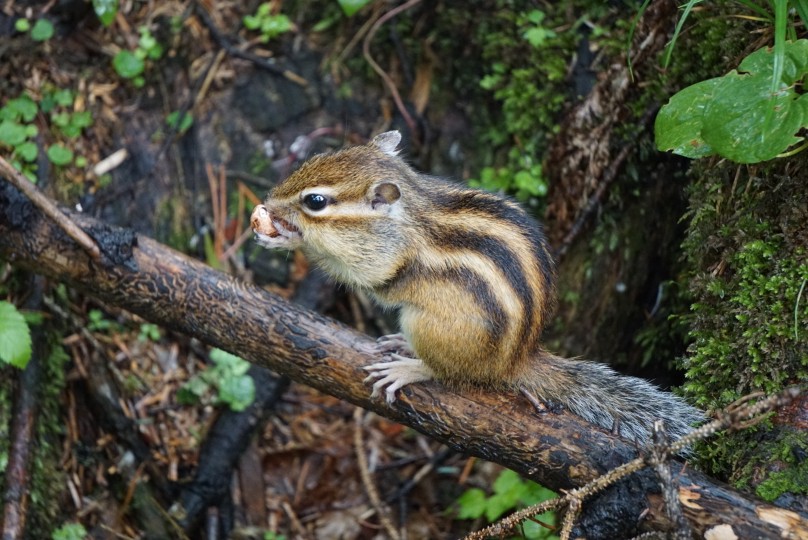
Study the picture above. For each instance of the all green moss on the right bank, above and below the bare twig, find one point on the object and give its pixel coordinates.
(747, 257)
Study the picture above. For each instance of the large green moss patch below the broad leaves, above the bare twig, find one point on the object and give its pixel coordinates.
(750, 330)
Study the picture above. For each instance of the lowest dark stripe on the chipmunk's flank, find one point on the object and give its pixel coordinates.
(478, 288)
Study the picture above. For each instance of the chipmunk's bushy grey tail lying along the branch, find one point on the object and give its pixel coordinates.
(598, 394)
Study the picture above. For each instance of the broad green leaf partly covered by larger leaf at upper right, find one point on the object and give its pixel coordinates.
(678, 125)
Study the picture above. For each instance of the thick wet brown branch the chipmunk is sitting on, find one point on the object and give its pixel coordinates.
(560, 451)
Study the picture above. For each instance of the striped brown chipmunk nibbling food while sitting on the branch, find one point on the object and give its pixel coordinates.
(471, 274)
